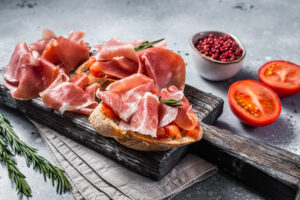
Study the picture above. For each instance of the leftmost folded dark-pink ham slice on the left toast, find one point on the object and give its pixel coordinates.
(27, 73)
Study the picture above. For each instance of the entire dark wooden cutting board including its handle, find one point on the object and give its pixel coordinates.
(272, 170)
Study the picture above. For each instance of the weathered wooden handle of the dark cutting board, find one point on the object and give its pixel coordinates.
(269, 169)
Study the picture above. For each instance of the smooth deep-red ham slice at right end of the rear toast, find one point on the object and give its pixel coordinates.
(164, 66)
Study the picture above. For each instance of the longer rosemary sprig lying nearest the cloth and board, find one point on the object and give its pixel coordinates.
(39, 163)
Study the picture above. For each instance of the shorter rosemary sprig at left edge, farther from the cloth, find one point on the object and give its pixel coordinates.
(6, 157)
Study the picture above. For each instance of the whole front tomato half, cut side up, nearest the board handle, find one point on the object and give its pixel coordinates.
(254, 103)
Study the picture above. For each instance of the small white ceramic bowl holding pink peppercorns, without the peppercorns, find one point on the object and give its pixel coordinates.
(209, 68)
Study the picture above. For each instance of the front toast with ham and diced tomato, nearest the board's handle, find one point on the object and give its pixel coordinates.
(133, 113)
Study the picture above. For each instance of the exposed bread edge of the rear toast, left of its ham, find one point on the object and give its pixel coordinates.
(84, 69)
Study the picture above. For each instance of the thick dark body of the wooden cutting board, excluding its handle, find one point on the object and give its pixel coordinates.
(152, 164)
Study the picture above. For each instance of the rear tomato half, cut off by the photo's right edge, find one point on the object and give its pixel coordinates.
(282, 76)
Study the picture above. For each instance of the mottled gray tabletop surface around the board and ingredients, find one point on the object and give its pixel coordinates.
(269, 30)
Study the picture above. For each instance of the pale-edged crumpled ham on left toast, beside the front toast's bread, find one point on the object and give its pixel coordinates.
(69, 95)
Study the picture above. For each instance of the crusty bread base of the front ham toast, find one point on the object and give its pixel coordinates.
(134, 140)
